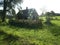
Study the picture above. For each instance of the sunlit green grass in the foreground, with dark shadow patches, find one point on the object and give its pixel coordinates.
(48, 35)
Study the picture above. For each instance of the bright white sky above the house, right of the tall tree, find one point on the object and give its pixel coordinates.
(42, 5)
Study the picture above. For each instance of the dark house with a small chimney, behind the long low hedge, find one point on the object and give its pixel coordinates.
(27, 14)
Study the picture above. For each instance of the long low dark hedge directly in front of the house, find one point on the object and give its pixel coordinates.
(26, 23)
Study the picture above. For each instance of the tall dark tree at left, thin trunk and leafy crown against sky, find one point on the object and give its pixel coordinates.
(9, 4)
